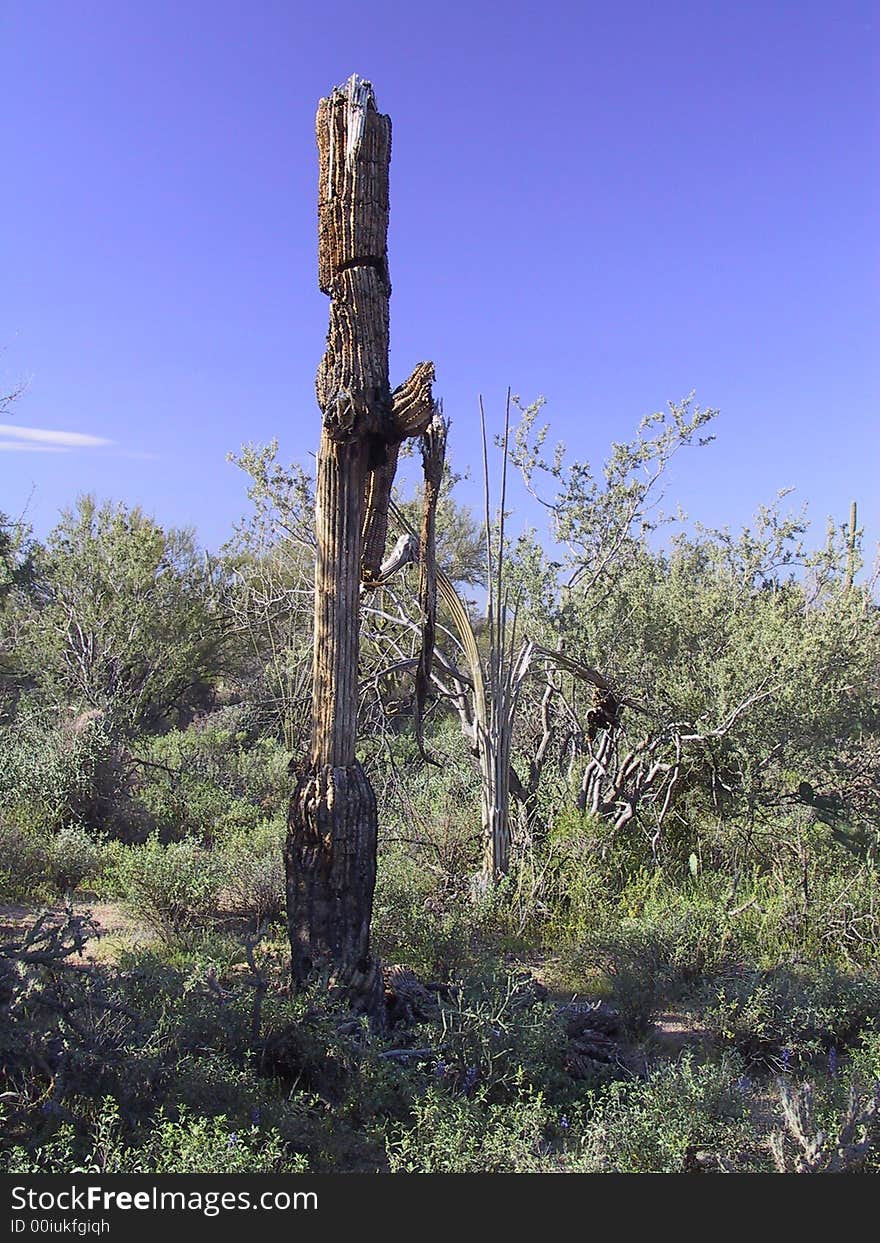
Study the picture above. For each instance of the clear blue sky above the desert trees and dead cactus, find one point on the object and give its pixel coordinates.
(607, 204)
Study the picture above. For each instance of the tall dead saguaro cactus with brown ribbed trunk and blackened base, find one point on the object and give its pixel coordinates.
(332, 828)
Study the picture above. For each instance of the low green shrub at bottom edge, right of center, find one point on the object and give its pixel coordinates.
(657, 1126)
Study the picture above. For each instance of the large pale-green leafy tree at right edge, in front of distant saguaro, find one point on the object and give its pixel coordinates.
(772, 681)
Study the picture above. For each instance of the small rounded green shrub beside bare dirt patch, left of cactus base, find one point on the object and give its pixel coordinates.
(173, 889)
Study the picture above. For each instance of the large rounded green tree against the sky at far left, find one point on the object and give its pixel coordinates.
(126, 618)
